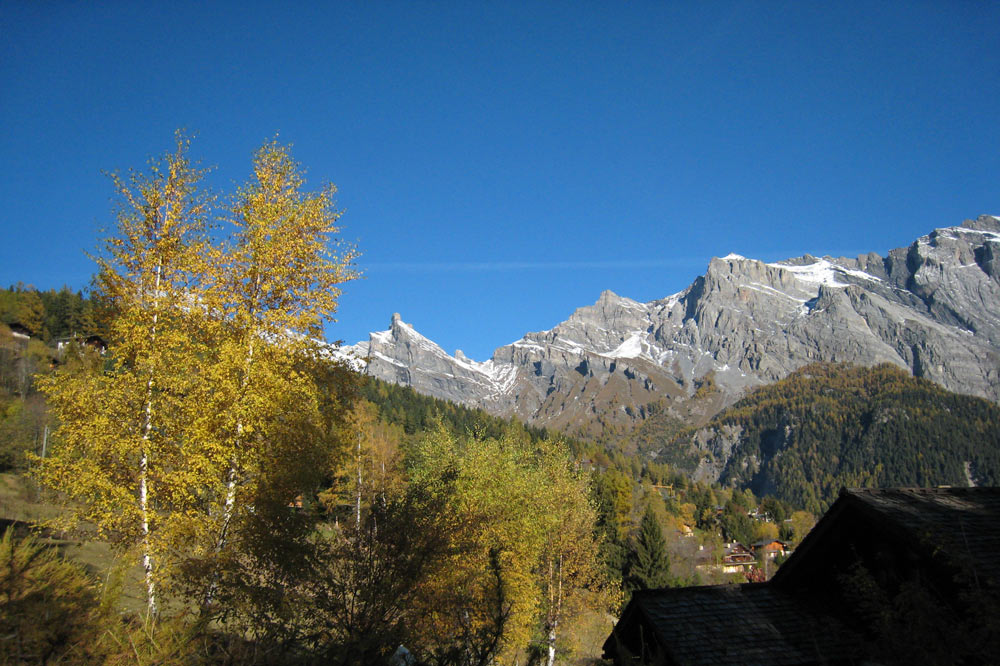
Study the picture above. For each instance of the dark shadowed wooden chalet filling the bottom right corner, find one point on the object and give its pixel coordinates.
(886, 576)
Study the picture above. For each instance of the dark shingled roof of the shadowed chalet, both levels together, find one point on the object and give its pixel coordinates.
(787, 621)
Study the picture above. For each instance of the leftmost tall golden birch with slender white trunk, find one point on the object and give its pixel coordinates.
(118, 453)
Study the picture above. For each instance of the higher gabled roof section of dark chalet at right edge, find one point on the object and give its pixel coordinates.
(961, 524)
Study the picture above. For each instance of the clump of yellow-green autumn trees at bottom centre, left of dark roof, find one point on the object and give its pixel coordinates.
(522, 552)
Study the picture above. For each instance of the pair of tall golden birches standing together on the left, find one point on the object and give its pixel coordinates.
(216, 405)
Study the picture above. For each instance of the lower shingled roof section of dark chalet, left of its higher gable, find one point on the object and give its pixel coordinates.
(754, 623)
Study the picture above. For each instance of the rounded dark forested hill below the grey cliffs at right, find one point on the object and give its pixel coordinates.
(832, 425)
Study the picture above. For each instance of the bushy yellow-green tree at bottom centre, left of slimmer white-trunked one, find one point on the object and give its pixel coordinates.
(482, 600)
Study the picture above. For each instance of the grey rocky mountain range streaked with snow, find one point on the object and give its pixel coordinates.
(932, 308)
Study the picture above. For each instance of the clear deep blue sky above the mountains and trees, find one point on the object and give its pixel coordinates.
(500, 164)
